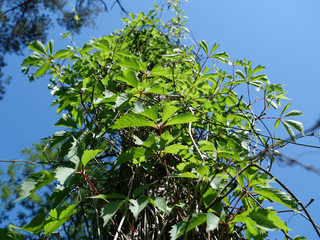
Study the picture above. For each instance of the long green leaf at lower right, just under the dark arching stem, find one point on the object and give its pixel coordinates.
(277, 195)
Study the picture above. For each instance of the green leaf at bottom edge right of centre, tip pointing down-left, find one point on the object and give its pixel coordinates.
(180, 228)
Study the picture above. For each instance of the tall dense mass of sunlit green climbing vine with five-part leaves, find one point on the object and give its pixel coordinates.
(161, 142)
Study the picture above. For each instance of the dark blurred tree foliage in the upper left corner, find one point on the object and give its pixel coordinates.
(23, 21)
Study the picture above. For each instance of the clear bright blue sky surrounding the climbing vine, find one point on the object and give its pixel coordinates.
(281, 35)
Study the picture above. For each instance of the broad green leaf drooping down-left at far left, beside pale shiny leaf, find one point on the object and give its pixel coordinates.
(34, 182)
